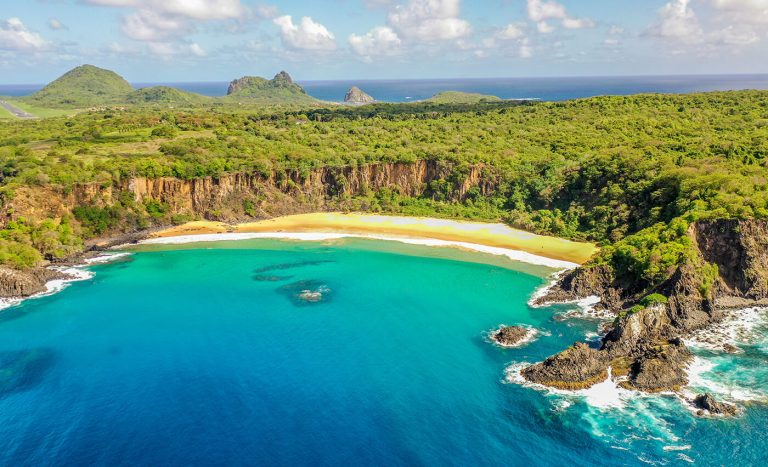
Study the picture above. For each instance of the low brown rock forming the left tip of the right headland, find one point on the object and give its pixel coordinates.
(577, 367)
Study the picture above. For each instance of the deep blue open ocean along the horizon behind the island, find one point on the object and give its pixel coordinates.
(548, 89)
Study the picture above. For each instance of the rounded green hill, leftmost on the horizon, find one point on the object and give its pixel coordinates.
(84, 86)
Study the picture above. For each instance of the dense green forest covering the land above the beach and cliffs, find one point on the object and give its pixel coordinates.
(623, 171)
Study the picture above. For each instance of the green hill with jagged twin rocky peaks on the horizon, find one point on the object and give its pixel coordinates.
(279, 90)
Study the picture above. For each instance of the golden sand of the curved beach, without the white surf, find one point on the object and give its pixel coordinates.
(493, 236)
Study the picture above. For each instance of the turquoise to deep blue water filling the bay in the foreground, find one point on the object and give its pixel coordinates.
(204, 355)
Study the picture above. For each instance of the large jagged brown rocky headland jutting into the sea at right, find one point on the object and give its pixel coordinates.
(644, 344)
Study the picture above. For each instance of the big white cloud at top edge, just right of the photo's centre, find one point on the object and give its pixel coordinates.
(429, 20)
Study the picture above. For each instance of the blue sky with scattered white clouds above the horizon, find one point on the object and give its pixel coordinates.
(218, 40)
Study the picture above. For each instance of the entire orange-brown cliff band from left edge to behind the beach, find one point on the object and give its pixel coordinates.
(280, 192)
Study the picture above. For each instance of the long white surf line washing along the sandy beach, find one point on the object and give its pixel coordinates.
(514, 255)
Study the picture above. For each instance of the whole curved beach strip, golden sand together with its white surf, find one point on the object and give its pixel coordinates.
(496, 239)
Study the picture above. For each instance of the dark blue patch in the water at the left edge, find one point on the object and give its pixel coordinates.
(23, 369)
